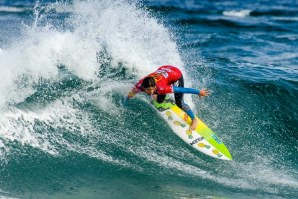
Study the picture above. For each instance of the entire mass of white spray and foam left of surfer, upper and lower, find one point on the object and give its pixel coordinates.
(48, 57)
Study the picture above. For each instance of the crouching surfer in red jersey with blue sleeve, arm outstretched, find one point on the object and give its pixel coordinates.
(168, 79)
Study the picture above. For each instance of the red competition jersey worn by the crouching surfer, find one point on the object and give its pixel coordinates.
(164, 77)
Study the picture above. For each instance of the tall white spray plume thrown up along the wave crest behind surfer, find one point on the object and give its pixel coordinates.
(128, 34)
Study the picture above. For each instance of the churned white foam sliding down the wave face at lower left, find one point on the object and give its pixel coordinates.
(20, 127)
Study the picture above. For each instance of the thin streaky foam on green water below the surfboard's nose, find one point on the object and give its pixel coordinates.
(258, 174)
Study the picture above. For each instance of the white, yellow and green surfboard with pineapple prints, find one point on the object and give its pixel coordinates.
(202, 138)
